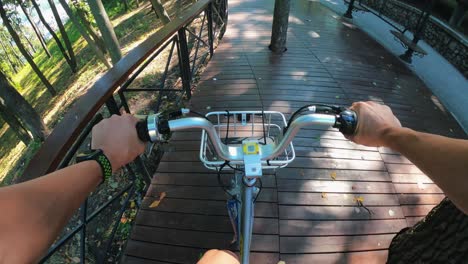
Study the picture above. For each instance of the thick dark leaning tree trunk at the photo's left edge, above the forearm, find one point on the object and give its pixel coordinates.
(15, 104)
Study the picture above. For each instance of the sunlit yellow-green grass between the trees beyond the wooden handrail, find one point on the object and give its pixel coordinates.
(131, 28)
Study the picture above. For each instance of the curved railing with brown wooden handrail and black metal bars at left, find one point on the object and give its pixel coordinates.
(185, 44)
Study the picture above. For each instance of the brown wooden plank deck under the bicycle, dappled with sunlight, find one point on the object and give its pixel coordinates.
(302, 214)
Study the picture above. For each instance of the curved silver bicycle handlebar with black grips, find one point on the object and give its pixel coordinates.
(154, 128)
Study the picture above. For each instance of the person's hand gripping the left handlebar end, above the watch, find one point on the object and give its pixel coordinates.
(118, 139)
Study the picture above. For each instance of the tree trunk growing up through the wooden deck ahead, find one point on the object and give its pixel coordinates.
(279, 31)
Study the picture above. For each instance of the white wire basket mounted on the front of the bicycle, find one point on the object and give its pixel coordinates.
(235, 127)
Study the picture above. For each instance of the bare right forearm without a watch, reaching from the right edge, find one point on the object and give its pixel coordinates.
(443, 159)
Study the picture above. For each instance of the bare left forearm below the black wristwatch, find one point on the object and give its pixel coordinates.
(39, 209)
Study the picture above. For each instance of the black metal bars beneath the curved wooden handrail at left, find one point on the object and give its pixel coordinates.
(90, 234)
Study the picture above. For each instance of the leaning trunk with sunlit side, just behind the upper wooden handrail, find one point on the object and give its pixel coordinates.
(107, 30)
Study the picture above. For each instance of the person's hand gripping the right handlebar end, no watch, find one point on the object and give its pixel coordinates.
(374, 122)
